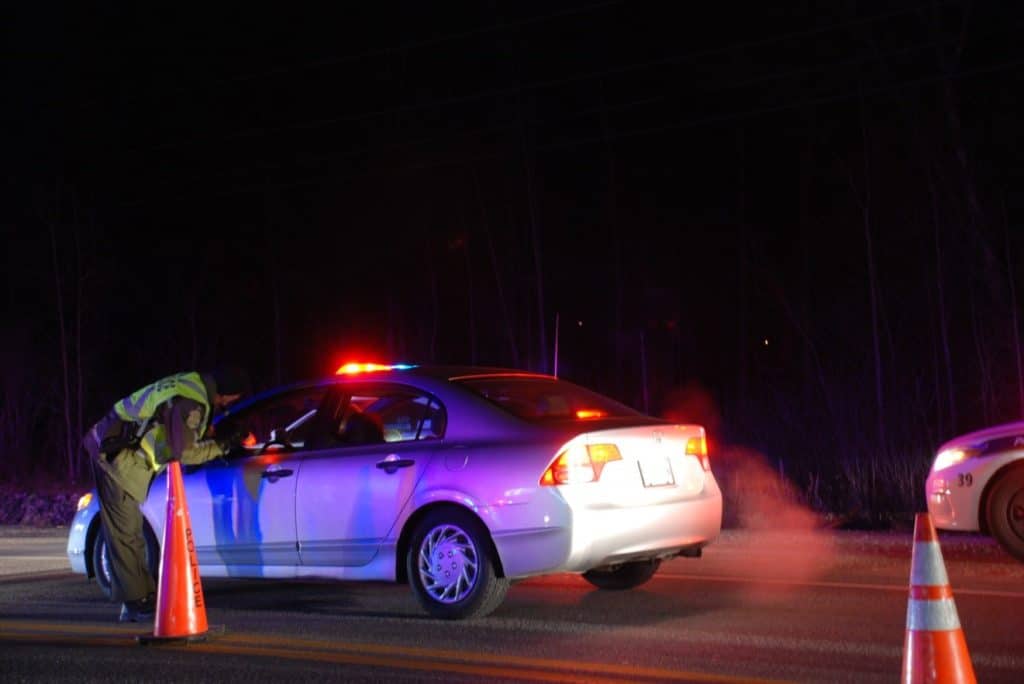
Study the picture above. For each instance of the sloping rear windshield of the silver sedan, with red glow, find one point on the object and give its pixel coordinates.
(545, 399)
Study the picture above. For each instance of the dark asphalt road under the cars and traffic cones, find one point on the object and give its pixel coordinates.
(790, 607)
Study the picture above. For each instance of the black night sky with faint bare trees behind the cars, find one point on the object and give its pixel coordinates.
(805, 216)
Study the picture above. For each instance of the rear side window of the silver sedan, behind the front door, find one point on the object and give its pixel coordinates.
(376, 415)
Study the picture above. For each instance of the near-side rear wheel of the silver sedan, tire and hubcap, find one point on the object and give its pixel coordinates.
(451, 567)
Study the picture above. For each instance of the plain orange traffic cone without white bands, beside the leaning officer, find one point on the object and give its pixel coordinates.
(181, 608)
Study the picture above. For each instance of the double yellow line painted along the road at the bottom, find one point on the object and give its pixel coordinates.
(491, 665)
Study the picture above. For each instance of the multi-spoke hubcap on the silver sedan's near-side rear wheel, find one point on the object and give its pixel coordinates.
(448, 564)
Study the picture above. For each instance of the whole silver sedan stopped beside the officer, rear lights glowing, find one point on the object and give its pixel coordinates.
(456, 481)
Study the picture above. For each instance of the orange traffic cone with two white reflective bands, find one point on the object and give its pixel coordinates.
(934, 650)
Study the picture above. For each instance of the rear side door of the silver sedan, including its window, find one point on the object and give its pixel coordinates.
(352, 491)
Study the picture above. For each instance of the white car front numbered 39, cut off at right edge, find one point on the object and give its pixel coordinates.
(977, 485)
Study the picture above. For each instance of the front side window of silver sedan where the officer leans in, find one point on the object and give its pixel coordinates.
(290, 415)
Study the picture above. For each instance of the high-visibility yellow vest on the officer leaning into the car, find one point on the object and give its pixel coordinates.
(141, 407)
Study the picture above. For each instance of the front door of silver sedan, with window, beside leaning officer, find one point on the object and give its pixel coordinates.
(243, 508)
